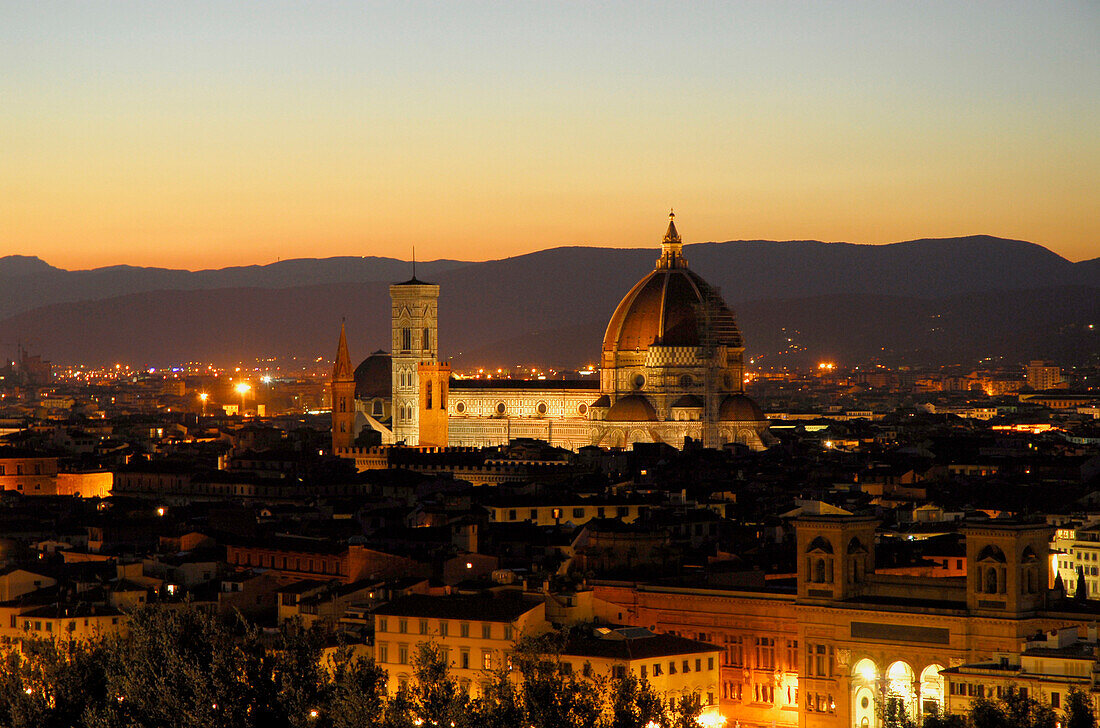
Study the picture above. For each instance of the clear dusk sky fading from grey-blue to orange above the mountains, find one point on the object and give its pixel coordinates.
(205, 135)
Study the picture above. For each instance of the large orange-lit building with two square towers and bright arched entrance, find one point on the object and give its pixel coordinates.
(850, 645)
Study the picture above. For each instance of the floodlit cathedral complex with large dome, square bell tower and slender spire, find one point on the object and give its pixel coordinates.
(672, 369)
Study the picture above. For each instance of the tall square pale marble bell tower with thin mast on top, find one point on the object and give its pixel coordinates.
(415, 306)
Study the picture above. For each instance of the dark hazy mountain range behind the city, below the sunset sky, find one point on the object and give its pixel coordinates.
(923, 302)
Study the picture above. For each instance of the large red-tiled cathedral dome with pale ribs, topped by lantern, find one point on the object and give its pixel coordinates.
(664, 308)
